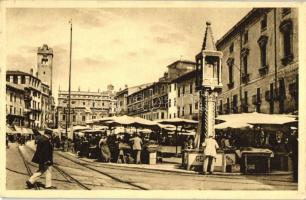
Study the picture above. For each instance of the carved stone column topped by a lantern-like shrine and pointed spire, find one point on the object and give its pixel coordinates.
(208, 81)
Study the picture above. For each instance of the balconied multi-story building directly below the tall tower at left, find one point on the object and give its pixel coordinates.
(37, 98)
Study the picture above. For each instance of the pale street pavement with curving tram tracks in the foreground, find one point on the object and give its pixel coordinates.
(100, 176)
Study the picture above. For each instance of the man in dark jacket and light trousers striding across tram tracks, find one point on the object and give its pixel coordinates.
(43, 156)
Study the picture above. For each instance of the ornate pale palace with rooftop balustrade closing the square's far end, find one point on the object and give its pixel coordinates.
(85, 105)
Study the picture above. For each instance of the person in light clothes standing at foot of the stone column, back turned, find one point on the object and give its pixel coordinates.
(210, 154)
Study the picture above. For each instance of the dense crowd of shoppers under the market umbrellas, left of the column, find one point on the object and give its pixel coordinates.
(121, 148)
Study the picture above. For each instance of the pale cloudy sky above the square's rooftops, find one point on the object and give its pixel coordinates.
(112, 45)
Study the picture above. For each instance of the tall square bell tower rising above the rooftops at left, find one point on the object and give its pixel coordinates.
(44, 64)
